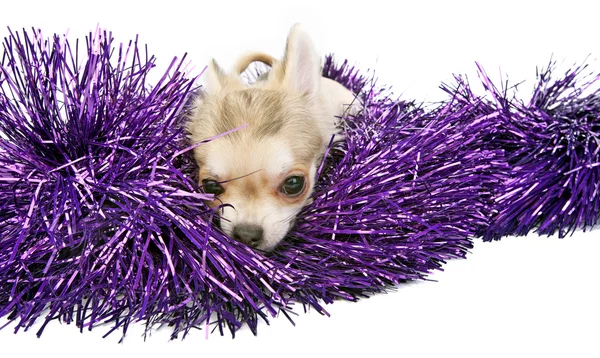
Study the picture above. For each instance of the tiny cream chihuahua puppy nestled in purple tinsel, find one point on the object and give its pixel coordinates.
(263, 174)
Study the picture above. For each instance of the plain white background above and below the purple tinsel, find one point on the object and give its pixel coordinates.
(521, 297)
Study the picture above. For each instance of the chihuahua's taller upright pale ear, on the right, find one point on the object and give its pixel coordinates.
(301, 70)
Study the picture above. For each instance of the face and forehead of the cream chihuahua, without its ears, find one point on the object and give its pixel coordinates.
(264, 173)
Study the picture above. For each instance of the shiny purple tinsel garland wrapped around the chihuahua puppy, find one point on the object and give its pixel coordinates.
(101, 220)
